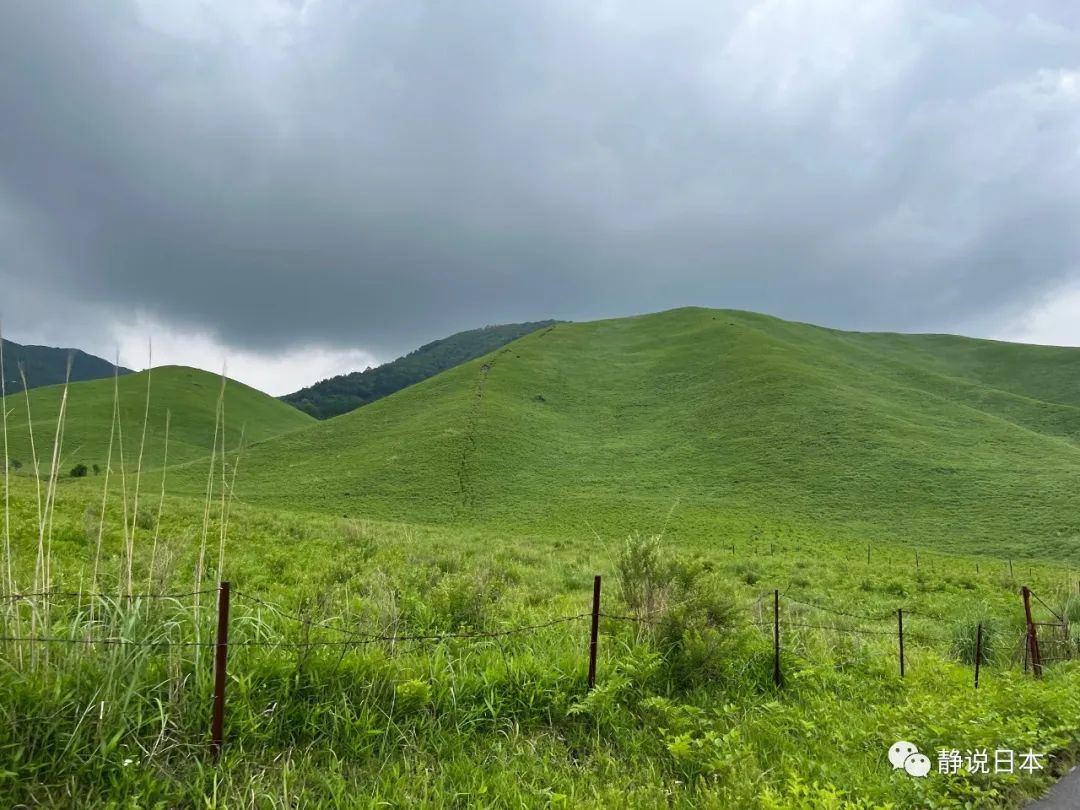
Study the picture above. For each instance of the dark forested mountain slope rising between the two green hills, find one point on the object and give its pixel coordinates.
(349, 391)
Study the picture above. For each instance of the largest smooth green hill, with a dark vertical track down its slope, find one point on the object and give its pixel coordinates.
(714, 422)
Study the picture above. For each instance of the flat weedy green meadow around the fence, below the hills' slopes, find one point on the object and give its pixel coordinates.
(685, 713)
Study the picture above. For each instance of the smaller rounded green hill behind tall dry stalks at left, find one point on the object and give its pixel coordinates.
(188, 394)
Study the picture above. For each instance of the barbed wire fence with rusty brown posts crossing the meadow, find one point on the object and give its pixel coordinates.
(1041, 644)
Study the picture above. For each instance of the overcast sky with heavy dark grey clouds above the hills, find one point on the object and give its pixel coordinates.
(309, 187)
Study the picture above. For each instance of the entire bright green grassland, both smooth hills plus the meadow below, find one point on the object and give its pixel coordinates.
(382, 563)
